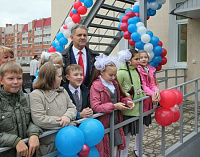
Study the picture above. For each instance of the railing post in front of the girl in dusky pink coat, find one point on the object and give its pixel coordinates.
(112, 134)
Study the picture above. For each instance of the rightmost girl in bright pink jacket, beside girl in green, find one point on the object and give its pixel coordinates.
(149, 83)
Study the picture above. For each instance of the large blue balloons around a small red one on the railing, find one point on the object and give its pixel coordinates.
(79, 142)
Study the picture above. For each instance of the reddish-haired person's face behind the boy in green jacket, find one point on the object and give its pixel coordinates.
(6, 54)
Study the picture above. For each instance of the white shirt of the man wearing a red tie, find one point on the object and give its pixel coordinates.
(84, 56)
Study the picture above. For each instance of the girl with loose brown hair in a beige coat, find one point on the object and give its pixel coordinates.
(51, 106)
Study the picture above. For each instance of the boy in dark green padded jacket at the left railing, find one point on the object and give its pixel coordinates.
(15, 113)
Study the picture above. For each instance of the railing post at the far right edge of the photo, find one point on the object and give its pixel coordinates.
(196, 106)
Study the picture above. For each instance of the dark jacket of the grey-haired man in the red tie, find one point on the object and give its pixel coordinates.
(90, 58)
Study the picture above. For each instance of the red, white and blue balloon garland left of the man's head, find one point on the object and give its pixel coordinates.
(65, 31)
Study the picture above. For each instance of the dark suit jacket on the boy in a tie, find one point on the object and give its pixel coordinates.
(85, 97)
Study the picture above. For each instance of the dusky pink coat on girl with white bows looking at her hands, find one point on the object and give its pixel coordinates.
(101, 103)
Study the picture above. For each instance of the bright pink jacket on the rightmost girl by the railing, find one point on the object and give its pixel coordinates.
(148, 87)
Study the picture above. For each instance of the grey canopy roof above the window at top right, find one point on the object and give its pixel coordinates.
(190, 9)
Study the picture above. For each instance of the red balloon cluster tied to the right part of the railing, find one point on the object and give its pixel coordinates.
(169, 112)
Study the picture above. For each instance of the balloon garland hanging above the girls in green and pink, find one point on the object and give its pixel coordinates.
(138, 36)
